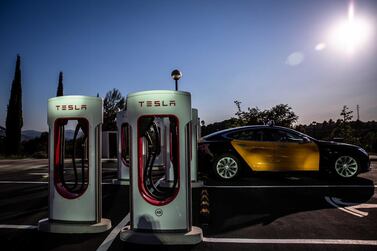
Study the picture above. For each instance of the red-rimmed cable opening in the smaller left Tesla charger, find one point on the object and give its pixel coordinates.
(71, 150)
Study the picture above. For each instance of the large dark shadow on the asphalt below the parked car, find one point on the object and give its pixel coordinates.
(279, 195)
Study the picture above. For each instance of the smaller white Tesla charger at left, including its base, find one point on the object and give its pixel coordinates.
(75, 200)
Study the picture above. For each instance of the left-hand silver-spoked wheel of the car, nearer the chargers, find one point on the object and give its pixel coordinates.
(227, 167)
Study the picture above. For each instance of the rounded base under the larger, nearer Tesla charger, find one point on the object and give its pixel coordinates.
(195, 236)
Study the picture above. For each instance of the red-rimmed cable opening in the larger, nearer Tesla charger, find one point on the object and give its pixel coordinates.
(158, 158)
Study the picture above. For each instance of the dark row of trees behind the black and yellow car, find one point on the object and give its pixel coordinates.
(344, 129)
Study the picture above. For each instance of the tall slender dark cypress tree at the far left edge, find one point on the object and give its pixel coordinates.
(14, 121)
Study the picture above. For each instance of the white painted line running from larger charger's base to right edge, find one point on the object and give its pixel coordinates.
(292, 241)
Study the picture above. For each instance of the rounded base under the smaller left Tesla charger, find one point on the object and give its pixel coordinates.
(46, 225)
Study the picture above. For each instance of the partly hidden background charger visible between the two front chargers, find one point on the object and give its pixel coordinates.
(123, 148)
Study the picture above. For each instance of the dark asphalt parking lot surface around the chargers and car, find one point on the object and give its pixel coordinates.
(263, 212)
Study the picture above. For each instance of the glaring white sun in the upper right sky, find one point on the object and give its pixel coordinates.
(350, 34)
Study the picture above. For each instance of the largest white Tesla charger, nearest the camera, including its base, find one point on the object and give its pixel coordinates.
(160, 131)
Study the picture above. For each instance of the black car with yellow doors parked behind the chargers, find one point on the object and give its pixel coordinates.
(275, 148)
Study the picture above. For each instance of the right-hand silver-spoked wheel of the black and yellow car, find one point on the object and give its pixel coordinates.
(346, 166)
